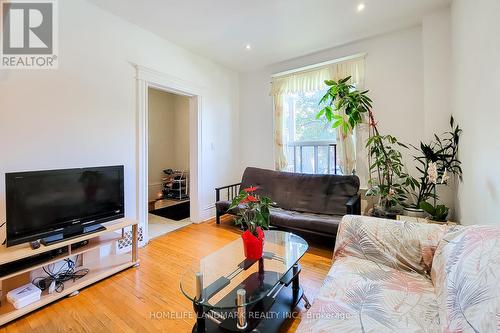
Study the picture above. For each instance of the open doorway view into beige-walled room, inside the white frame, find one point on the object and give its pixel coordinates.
(168, 162)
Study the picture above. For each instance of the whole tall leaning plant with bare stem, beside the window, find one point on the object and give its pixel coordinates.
(346, 108)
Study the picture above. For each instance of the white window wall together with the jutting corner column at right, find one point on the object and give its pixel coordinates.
(408, 73)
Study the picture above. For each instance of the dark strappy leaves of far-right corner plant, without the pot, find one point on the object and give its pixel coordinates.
(443, 152)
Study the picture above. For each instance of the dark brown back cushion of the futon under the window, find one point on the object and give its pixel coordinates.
(322, 194)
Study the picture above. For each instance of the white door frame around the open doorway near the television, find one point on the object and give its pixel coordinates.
(148, 78)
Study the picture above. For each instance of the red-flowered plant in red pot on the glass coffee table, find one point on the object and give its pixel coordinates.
(253, 214)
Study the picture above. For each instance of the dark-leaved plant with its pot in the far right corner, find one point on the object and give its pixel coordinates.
(437, 163)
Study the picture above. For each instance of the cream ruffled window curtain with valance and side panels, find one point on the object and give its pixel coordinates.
(313, 80)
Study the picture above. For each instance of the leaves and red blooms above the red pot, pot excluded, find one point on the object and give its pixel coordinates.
(252, 210)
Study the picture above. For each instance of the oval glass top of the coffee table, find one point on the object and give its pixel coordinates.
(225, 271)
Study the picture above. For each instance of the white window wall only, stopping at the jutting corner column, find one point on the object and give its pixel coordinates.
(394, 77)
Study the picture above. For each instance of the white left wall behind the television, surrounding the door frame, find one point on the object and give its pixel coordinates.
(84, 113)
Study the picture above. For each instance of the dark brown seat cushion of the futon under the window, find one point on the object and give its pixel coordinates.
(325, 224)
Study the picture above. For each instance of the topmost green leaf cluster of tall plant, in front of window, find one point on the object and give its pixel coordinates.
(345, 106)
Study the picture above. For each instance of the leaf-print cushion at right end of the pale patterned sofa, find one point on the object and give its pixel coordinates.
(466, 275)
